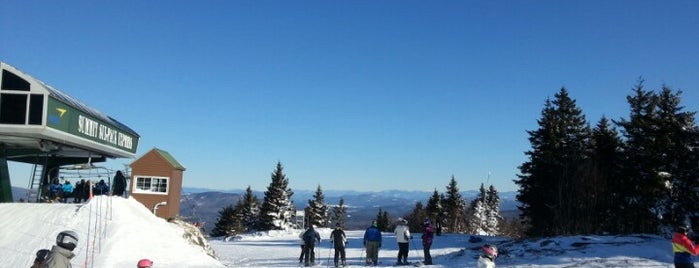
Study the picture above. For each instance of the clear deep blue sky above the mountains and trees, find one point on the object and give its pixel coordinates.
(357, 95)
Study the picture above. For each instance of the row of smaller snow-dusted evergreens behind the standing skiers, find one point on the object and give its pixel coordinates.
(449, 211)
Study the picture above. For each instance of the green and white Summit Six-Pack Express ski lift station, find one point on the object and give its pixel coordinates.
(54, 132)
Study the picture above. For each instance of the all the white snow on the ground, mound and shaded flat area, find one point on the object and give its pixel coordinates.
(117, 232)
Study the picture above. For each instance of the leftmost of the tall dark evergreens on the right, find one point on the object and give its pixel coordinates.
(552, 181)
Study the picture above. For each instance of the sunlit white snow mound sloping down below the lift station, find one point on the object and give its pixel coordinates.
(114, 232)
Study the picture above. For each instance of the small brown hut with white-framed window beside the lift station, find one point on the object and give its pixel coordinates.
(156, 182)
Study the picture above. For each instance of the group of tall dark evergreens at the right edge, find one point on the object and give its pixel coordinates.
(632, 175)
